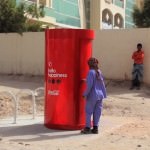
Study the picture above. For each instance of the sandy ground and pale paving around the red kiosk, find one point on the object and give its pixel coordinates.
(125, 122)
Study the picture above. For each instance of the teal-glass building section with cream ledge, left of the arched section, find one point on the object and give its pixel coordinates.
(62, 13)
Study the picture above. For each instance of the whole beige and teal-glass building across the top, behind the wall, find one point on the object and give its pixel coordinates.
(94, 14)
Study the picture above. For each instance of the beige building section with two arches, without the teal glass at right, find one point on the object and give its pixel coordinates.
(105, 14)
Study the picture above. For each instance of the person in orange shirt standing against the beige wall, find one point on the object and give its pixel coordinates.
(137, 72)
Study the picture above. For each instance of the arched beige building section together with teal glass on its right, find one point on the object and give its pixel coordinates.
(112, 14)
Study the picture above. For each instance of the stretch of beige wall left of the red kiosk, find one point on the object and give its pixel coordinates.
(22, 54)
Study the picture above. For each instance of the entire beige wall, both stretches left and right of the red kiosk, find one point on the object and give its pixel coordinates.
(25, 54)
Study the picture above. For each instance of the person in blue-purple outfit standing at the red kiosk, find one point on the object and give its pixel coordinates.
(94, 94)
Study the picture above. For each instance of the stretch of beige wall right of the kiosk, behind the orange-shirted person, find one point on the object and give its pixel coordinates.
(114, 49)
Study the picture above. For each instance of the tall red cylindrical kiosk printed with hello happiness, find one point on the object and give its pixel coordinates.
(67, 52)
